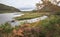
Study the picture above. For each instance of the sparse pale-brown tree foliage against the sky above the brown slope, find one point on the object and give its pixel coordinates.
(45, 3)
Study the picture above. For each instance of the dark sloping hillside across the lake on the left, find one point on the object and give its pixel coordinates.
(5, 8)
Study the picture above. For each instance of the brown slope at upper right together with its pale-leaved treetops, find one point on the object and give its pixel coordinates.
(48, 6)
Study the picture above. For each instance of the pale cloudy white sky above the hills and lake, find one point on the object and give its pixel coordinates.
(29, 4)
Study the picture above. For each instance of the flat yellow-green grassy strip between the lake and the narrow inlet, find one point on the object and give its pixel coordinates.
(29, 15)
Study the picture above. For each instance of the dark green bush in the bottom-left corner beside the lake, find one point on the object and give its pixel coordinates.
(6, 30)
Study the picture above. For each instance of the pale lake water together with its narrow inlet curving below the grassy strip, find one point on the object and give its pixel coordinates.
(8, 17)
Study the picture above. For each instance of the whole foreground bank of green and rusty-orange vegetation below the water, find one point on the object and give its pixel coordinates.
(49, 27)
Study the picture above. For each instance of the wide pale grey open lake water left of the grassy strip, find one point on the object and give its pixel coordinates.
(6, 17)
